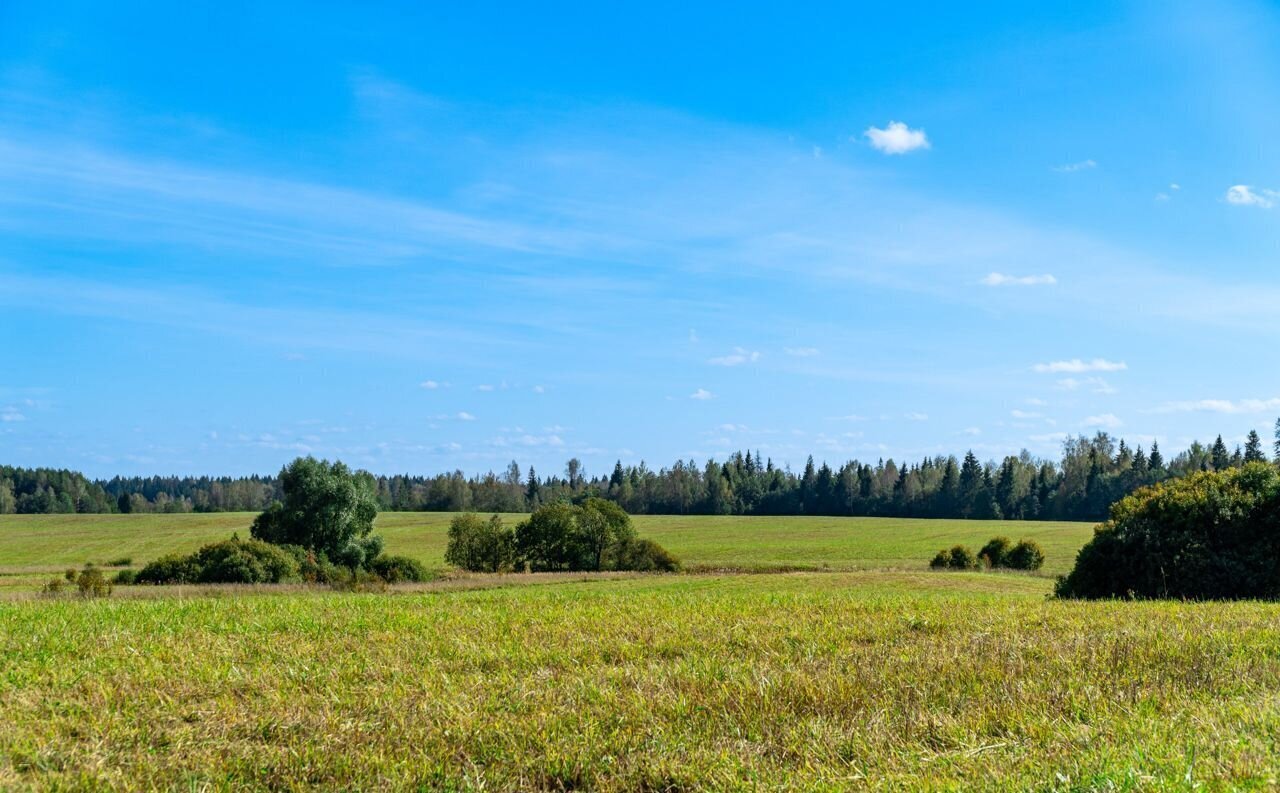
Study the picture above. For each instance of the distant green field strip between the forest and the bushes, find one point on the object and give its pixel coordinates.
(52, 543)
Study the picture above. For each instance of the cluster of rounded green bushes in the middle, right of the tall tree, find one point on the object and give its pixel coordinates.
(596, 535)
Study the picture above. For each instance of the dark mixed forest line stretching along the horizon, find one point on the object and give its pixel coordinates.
(1090, 476)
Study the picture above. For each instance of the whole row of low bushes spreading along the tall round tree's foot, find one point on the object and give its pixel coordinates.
(255, 562)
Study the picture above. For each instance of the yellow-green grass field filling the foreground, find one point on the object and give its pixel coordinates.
(812, 681)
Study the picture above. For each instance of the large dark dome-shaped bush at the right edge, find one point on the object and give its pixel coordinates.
(1213, 535)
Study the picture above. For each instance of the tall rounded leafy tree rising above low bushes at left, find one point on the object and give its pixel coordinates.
(327, 510)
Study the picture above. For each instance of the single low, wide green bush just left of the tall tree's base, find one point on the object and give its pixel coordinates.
(231, 562)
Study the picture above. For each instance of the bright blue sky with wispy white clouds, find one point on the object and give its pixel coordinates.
(436, 237)
